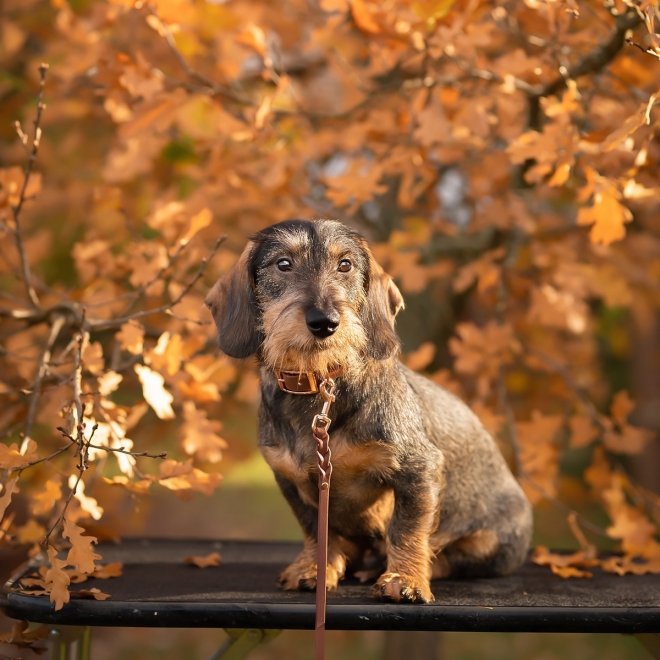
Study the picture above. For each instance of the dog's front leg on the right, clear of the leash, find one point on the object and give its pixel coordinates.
(409, 554)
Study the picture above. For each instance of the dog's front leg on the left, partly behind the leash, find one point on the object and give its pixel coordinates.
(301, 574)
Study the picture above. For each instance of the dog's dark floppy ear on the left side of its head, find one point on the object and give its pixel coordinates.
(232, 303)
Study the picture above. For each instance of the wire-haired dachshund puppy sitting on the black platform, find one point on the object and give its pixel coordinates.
(420, 490)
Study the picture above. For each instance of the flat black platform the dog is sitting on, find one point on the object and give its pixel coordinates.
(157, 589)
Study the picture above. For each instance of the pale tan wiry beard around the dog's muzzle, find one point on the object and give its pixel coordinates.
(289, 345)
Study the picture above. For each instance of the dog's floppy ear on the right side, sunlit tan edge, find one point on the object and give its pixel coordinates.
(384, 302)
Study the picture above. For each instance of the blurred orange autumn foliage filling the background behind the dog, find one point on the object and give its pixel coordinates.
(502, 159)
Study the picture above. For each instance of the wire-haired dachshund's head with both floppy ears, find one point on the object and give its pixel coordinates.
(307, 296)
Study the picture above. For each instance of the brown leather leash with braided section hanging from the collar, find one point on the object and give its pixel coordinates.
(320, 425)
